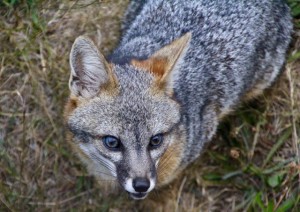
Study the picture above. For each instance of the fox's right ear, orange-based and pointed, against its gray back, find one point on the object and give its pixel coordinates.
(165, 63)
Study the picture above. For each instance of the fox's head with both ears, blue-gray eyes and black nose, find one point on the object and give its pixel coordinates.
(122, 120)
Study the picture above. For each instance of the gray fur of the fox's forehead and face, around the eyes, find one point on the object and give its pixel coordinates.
(133, 116)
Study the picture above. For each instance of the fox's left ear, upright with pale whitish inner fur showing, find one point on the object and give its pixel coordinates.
(89, 69)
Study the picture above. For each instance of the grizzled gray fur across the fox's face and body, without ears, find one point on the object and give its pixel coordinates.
(237, 46)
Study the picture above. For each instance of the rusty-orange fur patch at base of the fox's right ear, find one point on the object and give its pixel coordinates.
(157, 66)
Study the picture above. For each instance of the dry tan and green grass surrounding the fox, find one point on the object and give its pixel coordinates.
(253, 164)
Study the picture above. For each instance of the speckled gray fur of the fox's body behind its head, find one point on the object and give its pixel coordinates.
(235, 46)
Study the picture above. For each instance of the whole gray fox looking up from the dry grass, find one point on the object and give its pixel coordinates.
(141, 115)
